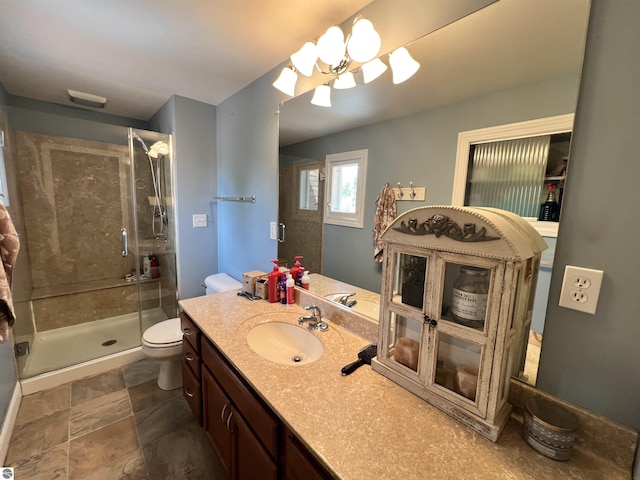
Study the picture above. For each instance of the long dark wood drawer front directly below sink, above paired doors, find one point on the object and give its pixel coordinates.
(254, 412)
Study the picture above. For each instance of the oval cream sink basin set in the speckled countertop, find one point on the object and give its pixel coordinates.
(284, 343)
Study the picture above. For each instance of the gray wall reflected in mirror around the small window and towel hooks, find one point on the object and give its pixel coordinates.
(420, 148)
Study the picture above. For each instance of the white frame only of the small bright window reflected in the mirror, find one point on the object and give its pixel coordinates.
(356, 219)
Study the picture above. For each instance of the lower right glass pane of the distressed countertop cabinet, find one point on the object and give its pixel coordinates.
(458, 363)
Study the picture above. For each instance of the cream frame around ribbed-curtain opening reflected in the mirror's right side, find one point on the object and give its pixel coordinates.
(530, 128)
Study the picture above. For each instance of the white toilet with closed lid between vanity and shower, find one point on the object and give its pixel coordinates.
(163, 341)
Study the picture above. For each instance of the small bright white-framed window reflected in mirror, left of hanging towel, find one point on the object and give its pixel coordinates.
(345, 185)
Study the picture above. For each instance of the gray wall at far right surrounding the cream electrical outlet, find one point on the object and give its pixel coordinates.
(594, 360)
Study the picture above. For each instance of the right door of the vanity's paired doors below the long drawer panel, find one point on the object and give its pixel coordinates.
(250, 459)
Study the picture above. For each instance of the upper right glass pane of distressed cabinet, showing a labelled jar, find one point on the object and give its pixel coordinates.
(466, 294)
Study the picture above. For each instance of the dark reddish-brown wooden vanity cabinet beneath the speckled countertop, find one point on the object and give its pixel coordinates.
(249, 438)
